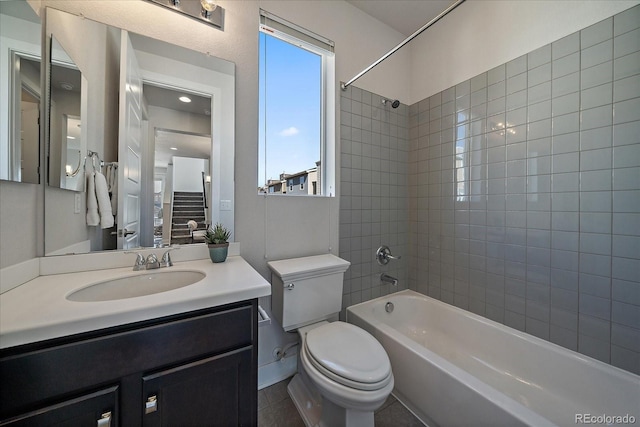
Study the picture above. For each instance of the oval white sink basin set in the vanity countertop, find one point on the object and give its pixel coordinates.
(136, 285)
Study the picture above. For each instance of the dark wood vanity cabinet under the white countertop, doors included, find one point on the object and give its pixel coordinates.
(193, 369)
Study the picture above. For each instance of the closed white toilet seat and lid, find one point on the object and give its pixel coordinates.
(349, 356)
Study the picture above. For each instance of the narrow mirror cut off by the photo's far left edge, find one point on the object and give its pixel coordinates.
(20, 52)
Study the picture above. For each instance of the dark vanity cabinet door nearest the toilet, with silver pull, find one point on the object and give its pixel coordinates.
(216, 391)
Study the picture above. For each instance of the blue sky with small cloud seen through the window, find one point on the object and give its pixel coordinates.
(291, 95)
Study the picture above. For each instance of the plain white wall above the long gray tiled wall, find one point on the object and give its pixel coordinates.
(481, 34)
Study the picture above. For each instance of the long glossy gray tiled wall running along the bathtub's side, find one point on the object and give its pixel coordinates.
(525, 193)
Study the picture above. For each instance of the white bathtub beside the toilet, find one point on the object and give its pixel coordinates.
(454, 368)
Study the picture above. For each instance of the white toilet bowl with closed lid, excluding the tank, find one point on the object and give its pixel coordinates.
(345, 375)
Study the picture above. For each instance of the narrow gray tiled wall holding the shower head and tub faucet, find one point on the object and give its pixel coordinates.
(374, 192)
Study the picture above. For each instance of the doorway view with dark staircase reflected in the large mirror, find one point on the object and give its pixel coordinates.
(182, 180)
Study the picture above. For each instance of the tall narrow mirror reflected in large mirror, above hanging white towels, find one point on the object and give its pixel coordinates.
(66, 142)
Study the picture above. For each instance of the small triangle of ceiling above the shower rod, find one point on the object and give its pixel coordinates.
(404, 16)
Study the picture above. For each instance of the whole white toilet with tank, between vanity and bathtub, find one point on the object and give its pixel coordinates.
(344, 374)
